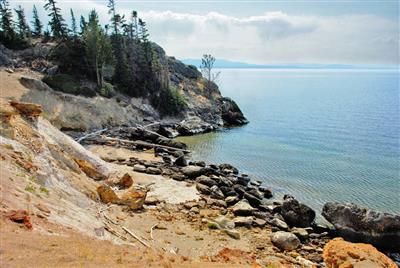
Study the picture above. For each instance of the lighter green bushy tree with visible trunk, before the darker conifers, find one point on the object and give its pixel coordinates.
(97, 47)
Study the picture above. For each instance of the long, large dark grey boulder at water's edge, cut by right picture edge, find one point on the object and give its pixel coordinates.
(358, 224)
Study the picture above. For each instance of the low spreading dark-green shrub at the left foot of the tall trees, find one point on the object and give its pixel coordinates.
(68, 84)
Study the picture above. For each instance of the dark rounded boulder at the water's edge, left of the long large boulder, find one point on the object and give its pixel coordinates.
(296, 213)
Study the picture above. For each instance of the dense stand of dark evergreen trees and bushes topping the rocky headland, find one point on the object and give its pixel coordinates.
(118, 56)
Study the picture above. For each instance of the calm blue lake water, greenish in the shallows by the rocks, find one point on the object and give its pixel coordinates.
(320, 135)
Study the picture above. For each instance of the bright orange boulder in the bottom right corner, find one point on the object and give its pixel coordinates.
(339, 253)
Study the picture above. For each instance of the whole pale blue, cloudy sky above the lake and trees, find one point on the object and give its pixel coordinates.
(259, 31)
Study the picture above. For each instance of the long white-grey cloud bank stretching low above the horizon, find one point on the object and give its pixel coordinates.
(271, 37)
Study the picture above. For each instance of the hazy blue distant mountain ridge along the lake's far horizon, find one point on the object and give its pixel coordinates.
(222, 63)
